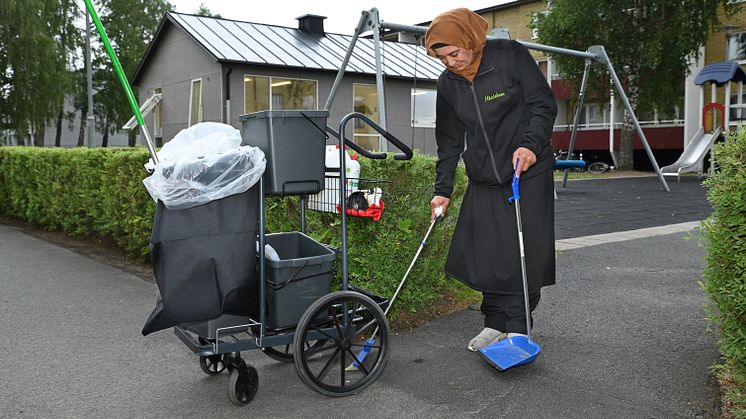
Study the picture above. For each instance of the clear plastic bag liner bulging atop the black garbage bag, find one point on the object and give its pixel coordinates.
(201, 164)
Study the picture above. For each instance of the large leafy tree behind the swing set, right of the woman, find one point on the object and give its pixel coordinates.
(649, 42)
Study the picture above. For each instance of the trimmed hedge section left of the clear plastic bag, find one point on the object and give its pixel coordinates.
(82, 191)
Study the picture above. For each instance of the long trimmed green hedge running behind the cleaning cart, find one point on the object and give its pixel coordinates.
(99, 192)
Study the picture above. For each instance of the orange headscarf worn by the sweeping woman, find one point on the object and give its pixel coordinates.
(459, 28)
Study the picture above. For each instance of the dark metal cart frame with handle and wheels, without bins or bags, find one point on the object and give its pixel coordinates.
(216, 355)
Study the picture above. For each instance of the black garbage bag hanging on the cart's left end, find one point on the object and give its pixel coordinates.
(204, 261)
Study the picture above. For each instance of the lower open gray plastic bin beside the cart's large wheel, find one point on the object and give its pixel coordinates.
(301, 276)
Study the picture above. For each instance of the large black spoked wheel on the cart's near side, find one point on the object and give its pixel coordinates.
(354, 358)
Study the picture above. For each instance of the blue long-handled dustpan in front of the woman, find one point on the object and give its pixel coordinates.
(517, 350)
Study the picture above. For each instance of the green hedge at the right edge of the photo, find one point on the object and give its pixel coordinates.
(725, 269)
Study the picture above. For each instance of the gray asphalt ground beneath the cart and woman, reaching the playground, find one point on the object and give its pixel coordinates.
(623, 333)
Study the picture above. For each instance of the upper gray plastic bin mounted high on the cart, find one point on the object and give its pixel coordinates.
(294, 144)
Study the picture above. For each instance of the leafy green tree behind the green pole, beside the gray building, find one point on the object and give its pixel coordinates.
(130, 25)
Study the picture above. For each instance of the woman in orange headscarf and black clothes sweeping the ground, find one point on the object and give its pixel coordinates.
(496, 111)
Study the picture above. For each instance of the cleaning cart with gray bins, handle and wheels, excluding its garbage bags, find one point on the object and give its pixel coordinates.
(299, 319)
